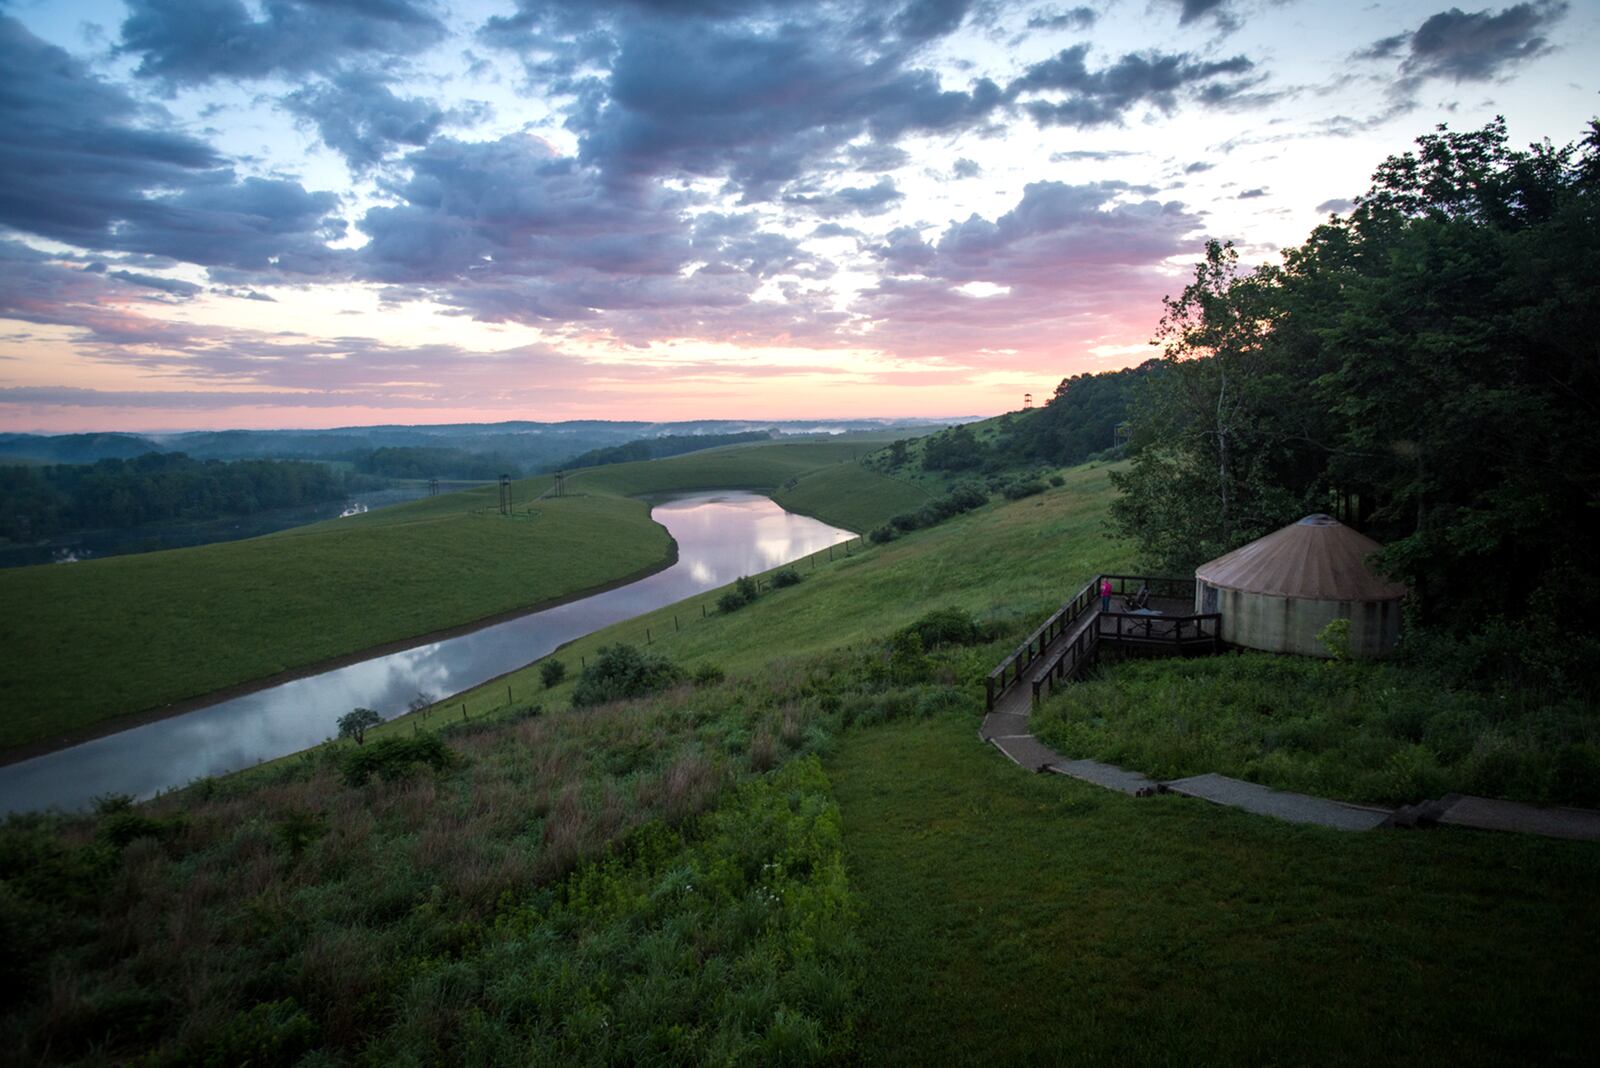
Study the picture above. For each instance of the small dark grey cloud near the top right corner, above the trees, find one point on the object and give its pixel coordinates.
(1471, 47)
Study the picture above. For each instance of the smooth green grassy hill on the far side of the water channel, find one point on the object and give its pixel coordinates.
(110, 637)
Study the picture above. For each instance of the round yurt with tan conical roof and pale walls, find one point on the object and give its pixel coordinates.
(1281, 591)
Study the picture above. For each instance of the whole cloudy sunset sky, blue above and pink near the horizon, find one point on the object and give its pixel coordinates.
(311, 213)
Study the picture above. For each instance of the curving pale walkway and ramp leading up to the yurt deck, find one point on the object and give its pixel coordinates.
(1007, 730)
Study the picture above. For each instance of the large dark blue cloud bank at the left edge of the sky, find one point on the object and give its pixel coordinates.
(76, 165)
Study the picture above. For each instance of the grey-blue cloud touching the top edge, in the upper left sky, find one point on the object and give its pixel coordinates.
(199, 41)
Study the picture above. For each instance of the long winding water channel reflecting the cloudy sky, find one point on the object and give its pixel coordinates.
(721, 538)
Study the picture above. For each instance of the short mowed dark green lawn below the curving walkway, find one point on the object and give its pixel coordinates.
(1020, 919)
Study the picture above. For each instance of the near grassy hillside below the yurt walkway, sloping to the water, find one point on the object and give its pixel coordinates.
(810, 863)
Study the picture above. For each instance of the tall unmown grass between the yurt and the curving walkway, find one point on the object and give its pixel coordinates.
(1361, 731)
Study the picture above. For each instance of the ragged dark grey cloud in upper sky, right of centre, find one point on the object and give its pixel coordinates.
(1108, 95)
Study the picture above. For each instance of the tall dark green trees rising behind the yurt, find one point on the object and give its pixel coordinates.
(1426, 367)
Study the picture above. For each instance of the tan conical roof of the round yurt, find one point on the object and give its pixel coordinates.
(1318, 559)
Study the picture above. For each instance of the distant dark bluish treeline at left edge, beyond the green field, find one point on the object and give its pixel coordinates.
(44, 501)
